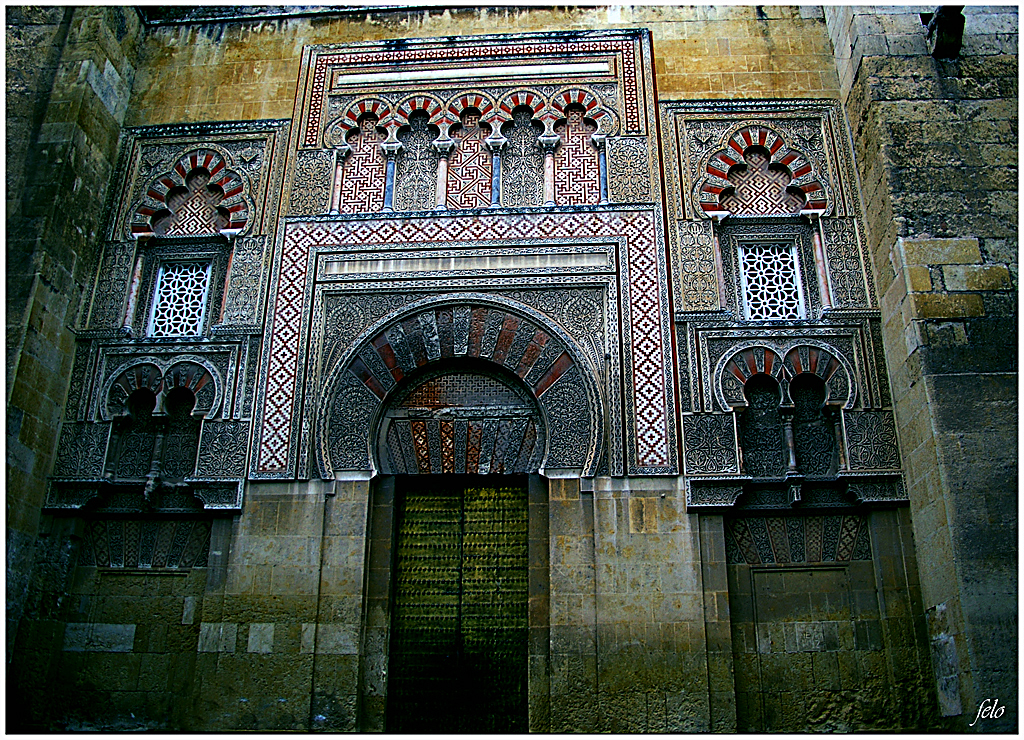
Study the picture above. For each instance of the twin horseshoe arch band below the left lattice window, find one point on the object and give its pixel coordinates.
(162, 378)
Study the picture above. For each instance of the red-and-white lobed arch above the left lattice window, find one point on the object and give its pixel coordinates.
(200, 196)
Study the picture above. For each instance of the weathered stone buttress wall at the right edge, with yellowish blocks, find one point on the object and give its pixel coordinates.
(936, 147)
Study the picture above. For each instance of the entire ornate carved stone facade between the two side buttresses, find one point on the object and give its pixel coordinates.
(313, 343)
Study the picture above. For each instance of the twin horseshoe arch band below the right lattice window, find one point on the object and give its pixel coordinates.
(785, 365)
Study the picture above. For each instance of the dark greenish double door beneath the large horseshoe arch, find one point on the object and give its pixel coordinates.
(458, 658)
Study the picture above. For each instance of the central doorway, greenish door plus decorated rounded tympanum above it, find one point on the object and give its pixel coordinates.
(459, 439)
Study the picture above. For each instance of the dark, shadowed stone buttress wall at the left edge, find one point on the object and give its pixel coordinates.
(70, 77)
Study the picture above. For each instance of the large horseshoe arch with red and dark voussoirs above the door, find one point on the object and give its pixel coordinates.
(482, 337)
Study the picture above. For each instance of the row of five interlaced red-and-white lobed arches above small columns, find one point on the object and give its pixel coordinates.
(448, 115)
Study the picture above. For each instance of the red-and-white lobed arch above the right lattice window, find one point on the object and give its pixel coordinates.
(778, 179)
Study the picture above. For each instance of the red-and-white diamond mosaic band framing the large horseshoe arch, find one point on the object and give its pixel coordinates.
(651, 401)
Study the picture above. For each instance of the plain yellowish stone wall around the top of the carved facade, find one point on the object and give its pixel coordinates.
(227, 72)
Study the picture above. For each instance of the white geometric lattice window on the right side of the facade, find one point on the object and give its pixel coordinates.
(771, 277)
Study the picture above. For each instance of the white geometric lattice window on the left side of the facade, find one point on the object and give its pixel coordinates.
(180, 303)
